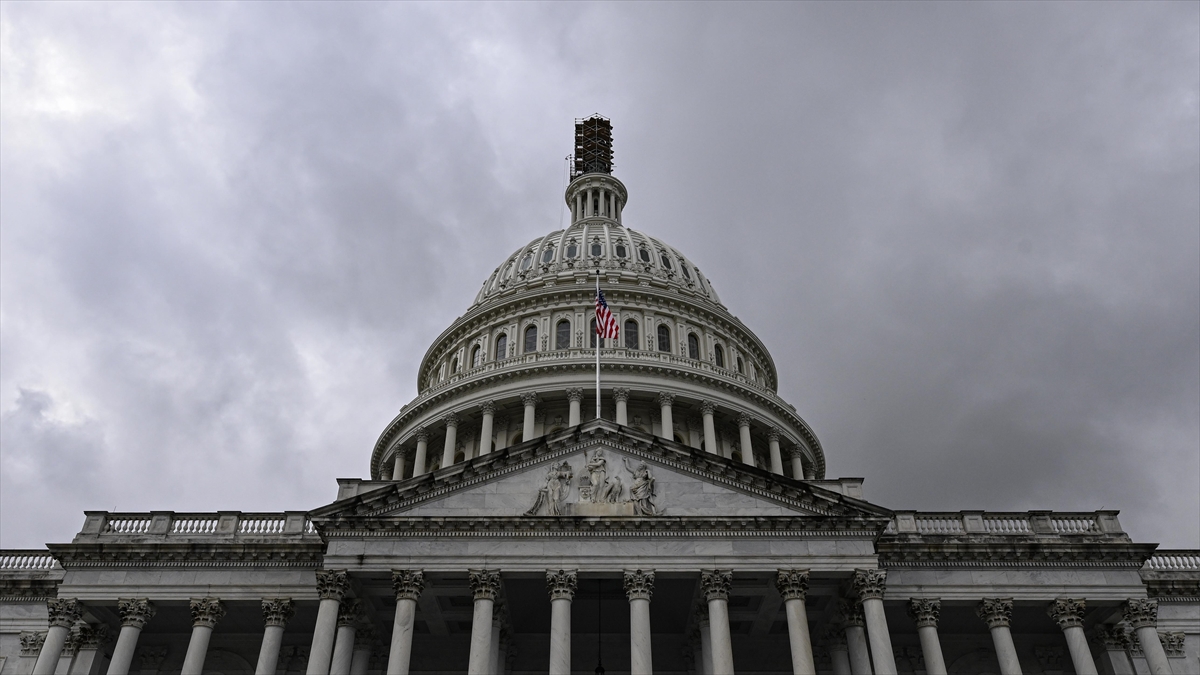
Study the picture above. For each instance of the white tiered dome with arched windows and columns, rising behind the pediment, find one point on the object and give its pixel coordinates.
(521, 363)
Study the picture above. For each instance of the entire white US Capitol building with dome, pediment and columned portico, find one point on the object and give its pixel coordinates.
(688, 528)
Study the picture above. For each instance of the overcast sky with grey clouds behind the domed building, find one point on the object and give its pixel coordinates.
(969, 234)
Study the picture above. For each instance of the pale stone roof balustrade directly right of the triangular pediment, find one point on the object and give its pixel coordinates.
(1005, 523)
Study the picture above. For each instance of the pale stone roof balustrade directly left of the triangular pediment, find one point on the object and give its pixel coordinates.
(196, 525)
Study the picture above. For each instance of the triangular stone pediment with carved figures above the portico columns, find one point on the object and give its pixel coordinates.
(598, 470)
